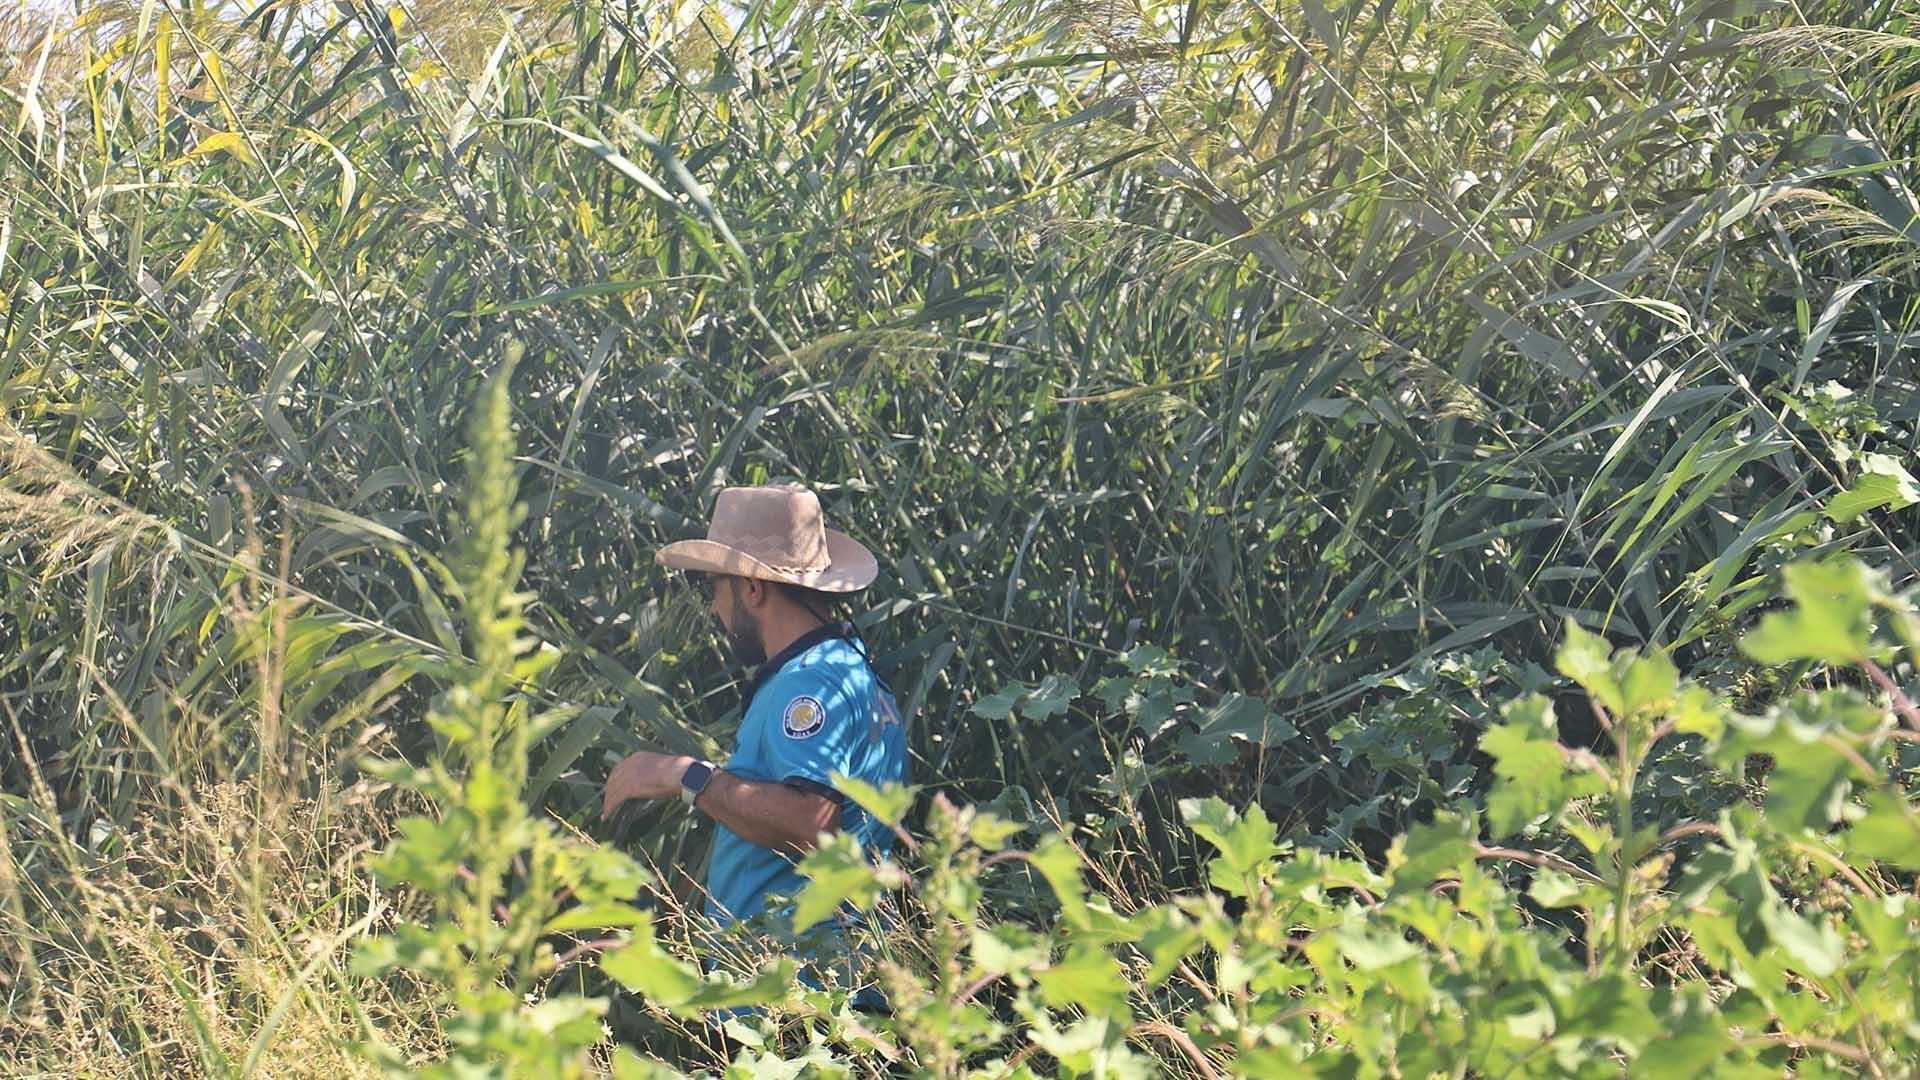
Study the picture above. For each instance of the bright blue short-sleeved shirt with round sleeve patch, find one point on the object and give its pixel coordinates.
(815, 710)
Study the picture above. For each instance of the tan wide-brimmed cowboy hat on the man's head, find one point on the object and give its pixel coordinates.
(775, 533)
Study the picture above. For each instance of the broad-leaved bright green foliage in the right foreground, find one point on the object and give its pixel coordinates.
(1439, 966)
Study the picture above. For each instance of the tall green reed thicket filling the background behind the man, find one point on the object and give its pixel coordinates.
(1314, 343)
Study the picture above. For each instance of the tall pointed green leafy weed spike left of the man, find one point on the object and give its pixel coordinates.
(494, 873)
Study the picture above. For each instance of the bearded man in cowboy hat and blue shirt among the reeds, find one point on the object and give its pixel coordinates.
(815, 706)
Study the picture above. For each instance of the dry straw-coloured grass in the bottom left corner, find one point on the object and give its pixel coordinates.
(201, 943)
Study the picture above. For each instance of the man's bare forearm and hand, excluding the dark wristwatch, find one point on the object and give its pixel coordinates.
(767, 816)
